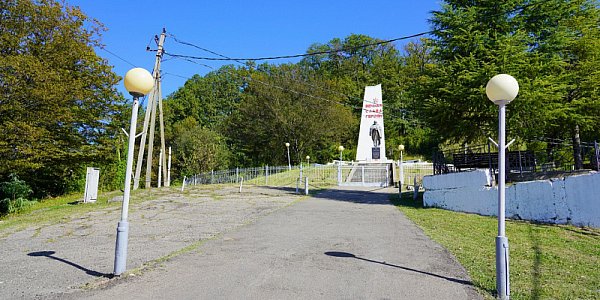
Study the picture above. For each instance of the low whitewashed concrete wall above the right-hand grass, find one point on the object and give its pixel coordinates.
(570, 200)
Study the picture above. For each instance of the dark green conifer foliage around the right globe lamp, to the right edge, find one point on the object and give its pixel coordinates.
(545, 45)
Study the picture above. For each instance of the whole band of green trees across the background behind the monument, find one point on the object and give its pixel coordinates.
(60, 111)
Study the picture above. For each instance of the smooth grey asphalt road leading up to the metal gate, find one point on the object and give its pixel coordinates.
(341, 244)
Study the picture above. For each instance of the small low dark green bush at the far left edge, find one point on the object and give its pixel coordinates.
(14, 195)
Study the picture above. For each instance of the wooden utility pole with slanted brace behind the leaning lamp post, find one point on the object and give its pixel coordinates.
(150, 115)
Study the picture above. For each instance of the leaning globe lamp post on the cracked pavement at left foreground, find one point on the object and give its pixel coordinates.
(138, 83)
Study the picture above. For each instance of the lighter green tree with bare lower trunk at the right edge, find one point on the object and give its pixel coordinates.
(566, 44)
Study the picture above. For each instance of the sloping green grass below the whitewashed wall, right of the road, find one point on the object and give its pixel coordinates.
(546, 261)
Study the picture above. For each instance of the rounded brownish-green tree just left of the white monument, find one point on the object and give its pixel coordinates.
(281, 104)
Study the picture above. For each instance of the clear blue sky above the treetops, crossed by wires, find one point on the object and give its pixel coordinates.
(242, 28)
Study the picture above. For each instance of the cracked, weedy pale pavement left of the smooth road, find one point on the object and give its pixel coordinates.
(49, 260)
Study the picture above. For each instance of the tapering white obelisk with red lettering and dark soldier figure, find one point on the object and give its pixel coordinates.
(371, 137)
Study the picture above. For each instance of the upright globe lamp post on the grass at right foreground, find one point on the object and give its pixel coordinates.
(501, 90)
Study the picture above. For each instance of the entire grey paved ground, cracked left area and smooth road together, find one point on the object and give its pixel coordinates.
(265, 243)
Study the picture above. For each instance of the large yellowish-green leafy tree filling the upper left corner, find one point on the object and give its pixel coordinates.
(57, 96)
